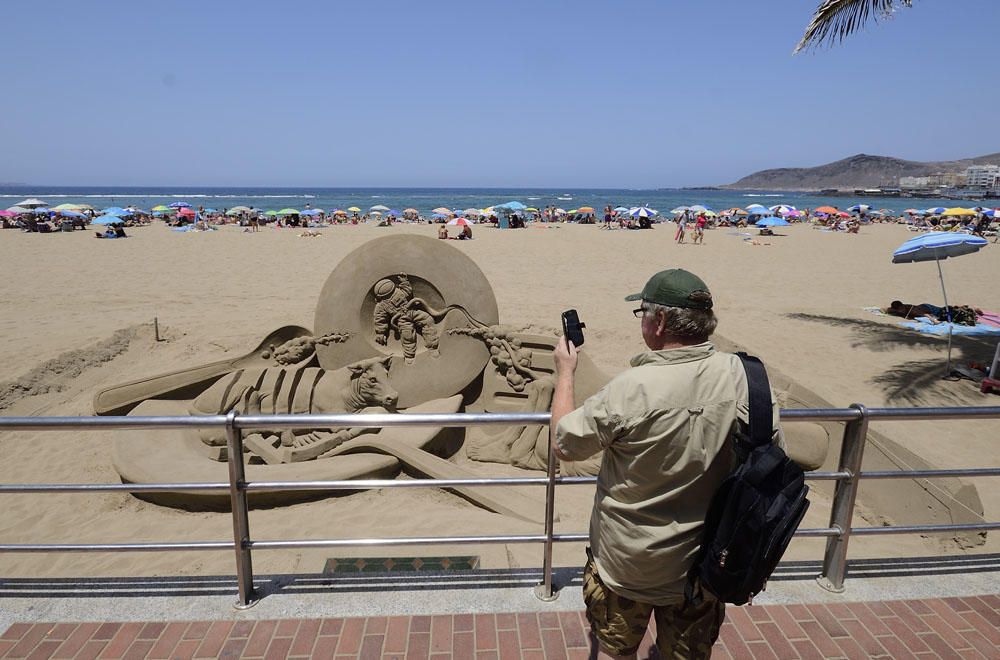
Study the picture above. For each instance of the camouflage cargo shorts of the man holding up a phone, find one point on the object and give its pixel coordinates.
(619, 623)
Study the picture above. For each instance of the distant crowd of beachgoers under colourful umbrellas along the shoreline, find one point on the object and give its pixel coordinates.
(35, 215)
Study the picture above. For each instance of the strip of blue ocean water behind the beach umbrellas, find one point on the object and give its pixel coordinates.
(425, 199)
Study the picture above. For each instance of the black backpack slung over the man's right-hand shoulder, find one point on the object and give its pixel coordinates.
(755, 511)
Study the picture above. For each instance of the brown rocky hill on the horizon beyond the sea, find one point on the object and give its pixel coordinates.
(860, 171)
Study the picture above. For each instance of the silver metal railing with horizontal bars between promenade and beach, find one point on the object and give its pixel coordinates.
(848, 476)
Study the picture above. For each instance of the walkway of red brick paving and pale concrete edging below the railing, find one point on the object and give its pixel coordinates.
(943, 607)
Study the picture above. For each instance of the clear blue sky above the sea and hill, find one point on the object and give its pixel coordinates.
(624, 93)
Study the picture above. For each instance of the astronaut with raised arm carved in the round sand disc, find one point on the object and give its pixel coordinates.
(397, 311)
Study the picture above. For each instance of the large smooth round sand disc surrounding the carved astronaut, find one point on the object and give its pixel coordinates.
(442, 276)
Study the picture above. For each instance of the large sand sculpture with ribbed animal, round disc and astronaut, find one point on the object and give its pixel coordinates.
(403, 323)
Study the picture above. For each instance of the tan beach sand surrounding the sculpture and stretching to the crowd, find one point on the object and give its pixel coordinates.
(76, 316)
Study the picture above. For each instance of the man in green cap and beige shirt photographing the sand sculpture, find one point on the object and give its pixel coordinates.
(666, 427)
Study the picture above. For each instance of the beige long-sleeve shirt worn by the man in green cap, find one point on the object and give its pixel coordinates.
(665, 427)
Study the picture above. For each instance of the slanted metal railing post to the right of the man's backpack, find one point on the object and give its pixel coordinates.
(852, 450)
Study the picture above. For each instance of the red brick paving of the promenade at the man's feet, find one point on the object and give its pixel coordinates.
(967, 627)
